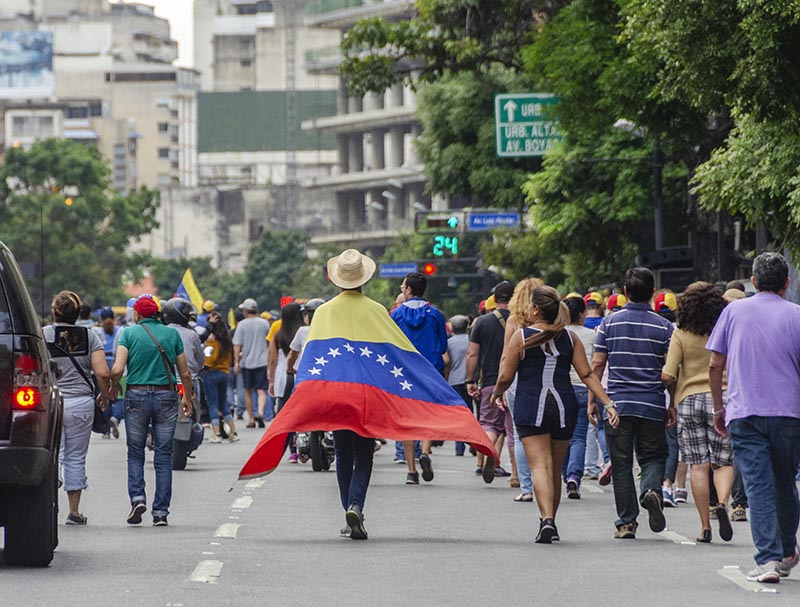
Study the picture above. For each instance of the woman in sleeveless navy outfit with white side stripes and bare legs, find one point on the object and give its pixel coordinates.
(546, 410)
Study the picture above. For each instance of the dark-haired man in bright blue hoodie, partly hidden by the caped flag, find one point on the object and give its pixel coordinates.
(424, 326)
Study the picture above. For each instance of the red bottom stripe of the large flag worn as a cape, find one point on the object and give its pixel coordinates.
(367, 411)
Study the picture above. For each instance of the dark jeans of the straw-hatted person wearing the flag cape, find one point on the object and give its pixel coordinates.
(354, 456)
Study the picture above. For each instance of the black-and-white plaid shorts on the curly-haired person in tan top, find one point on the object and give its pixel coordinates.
(698, 442)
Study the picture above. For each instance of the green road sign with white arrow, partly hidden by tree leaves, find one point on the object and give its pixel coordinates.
(523, 124)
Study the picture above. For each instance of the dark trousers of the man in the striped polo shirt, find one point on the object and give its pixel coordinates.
(648, 439)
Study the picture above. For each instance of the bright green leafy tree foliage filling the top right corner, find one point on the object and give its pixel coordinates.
(735, 61)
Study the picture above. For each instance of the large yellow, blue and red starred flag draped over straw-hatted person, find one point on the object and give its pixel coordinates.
(360, 372)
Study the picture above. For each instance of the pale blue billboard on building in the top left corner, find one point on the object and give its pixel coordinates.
(26, 64)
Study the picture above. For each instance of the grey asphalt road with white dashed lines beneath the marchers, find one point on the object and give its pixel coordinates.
(455, 541)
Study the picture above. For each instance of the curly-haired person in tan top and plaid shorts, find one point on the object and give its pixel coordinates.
(686, 373)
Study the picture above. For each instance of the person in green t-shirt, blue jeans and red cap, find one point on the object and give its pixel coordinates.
(150, 399)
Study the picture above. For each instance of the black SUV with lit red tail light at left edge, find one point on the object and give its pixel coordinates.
(31, 410)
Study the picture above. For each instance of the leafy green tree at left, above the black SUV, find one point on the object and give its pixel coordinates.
(60, 216)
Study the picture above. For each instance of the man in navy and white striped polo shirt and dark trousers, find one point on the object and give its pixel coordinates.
(634, 343)
